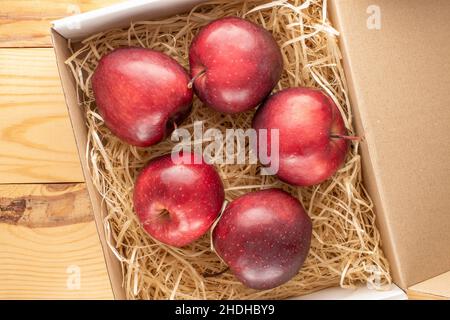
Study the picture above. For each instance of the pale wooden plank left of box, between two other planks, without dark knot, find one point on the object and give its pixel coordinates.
(36, 143)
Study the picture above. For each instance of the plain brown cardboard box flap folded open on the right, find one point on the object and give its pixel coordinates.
(397, 56)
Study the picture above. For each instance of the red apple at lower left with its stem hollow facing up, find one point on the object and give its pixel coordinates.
(177, 202)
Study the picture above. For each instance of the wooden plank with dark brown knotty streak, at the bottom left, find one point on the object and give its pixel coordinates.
(61, 258)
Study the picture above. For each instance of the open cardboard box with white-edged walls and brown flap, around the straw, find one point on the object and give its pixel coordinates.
(398, 69)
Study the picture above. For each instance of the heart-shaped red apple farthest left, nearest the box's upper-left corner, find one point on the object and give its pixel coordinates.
(141, 93)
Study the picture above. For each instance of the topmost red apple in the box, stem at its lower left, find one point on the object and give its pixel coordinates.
(243, 64)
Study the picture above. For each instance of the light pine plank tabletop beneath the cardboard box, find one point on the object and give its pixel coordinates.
(49, 246)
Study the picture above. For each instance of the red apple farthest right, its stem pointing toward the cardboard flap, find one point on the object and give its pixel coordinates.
(310, 127)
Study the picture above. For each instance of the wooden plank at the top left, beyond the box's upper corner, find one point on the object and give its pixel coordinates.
(26, 23)
